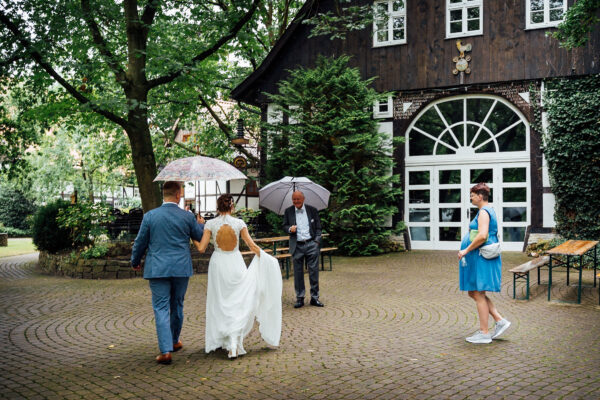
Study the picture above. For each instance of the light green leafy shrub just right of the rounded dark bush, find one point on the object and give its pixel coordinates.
(86, 221)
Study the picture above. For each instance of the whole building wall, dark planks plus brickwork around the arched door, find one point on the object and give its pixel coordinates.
(507, 61)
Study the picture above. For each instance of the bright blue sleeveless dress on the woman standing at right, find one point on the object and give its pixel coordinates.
(481, 274)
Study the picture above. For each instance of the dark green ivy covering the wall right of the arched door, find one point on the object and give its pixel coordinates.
(572, 149)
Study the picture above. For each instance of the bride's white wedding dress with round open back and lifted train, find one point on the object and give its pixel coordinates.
(236, 295)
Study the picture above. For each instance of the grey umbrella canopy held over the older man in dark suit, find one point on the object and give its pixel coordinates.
(277, 196)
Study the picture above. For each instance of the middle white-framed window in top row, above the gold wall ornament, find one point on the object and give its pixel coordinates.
(464, 18)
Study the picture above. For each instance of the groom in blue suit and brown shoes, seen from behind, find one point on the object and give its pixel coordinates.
(166, 232)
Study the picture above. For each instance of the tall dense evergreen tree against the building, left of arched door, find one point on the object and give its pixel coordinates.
(336, 143)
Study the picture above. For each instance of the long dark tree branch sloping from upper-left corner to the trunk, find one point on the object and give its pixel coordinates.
(37, 57)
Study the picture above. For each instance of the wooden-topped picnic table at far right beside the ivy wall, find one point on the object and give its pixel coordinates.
(567, 254)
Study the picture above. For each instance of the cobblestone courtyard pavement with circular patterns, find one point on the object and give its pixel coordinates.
(393, 327)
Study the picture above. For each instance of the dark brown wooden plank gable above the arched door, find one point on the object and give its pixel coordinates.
(506, 51)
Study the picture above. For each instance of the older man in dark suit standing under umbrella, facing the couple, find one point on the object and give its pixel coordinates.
(302, 222)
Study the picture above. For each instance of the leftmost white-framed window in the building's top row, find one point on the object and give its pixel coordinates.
(389, 23)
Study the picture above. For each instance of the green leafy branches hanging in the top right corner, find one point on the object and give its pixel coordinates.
(580, 19)
